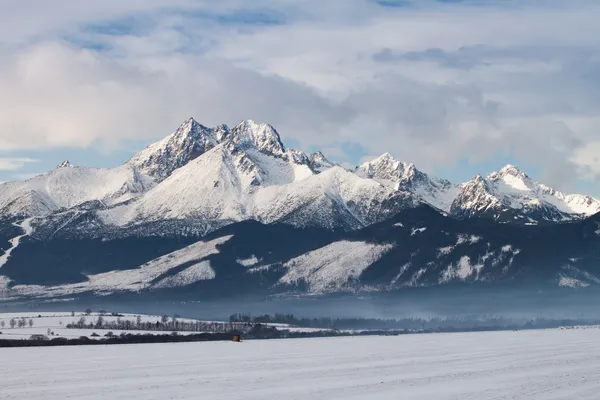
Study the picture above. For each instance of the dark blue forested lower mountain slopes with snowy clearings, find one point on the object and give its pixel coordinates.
(419, 247)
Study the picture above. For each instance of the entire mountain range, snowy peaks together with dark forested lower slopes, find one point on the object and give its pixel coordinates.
(212, 209)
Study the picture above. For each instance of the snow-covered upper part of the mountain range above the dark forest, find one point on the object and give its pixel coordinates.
(199, 179)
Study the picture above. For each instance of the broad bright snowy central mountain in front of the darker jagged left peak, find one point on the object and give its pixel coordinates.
(251, 175)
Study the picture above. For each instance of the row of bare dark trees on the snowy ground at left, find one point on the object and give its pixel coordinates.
(165, 324)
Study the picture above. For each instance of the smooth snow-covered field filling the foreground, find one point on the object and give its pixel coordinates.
(552, 364)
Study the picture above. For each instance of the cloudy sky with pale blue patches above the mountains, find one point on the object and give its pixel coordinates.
(457, 87)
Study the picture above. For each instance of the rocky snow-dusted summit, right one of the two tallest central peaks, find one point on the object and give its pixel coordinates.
(264, 137)
